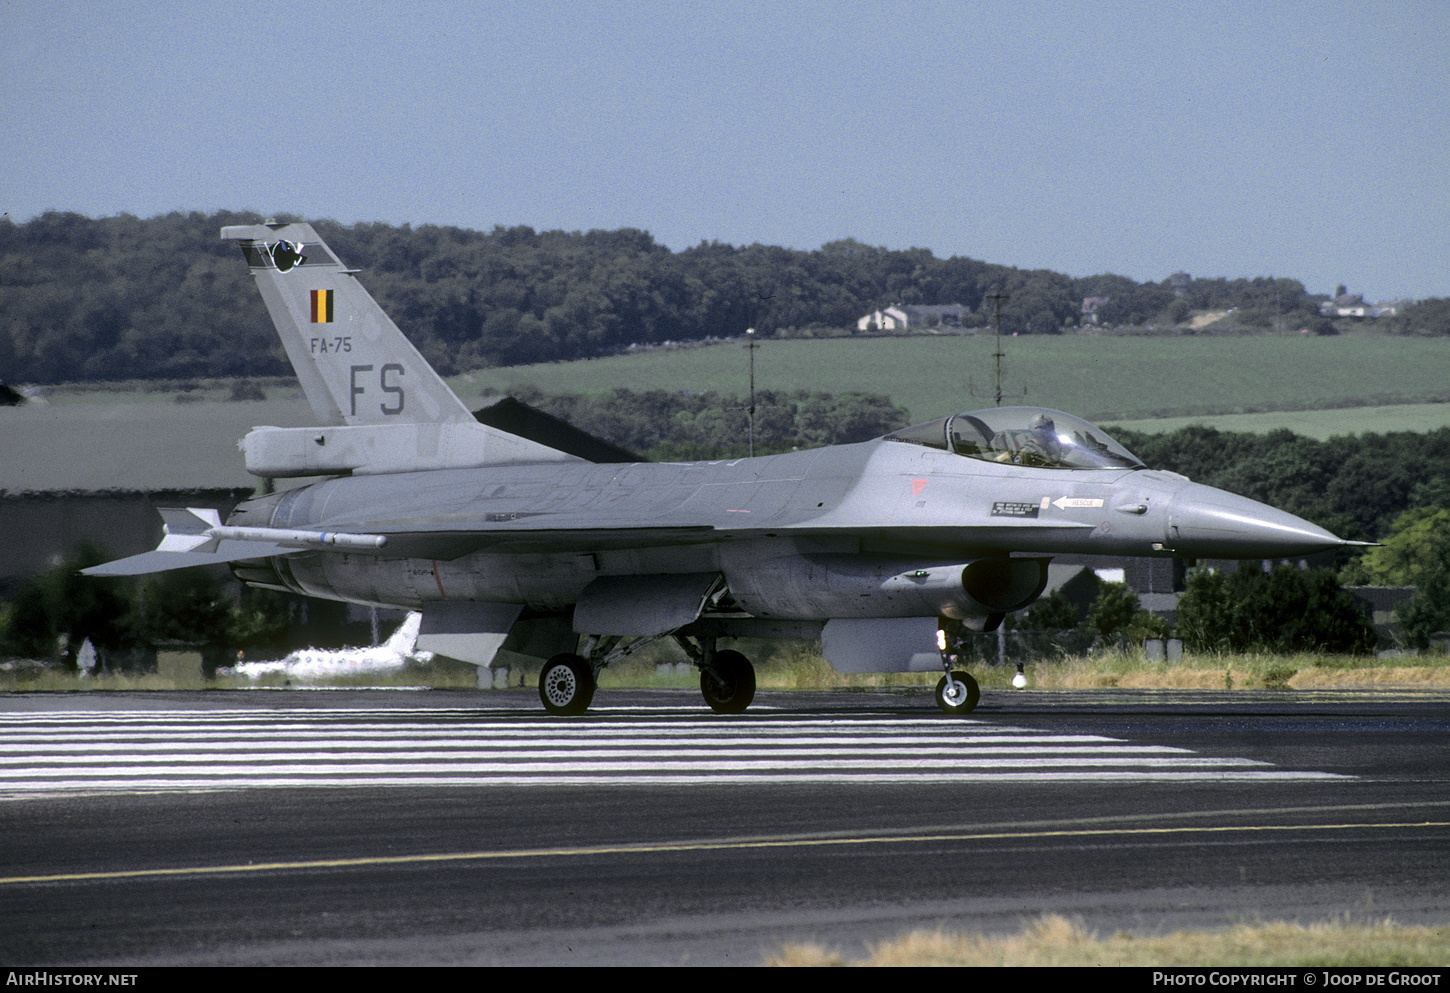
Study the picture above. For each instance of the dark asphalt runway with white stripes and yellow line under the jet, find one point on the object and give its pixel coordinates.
(469, 828)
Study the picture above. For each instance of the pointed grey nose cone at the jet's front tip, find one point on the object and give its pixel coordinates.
(1211, 524)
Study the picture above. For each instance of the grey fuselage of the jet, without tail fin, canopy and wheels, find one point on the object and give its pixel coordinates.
(813, 536)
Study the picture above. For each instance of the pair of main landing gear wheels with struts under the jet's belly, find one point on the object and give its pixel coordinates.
(568, 682)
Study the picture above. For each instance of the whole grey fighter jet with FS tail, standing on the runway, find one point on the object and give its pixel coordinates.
(882, 550)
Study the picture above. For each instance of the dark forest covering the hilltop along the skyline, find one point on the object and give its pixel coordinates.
(125, 298)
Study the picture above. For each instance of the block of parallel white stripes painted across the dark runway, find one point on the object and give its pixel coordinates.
(211, 750)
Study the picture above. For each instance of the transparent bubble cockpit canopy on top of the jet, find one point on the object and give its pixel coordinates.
(1023, 437)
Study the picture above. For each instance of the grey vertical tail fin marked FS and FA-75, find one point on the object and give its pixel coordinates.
(353, 362)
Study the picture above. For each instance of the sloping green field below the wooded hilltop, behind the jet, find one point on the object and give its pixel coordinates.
(1106, 379)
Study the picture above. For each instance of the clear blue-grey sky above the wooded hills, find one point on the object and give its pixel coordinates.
(1297, 138)
